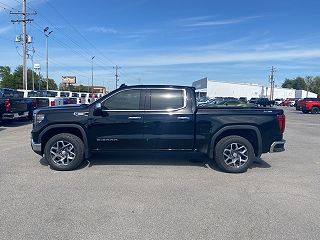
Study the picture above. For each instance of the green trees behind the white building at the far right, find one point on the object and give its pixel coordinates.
(309, 83)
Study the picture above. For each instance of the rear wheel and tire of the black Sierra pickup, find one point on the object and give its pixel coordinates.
(222, 147)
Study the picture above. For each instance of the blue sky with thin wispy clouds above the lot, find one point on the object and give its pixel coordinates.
(169, 41)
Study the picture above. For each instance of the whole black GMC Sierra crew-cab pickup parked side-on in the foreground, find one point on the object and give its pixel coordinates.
(150, 118)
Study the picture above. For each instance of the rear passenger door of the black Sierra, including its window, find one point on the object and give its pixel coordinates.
(168, 121)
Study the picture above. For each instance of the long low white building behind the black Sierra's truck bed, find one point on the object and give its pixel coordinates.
(213, 88)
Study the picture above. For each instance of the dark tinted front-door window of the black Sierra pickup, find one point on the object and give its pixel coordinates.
(125, 100)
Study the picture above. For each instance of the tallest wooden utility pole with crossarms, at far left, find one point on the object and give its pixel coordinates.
(24, 21)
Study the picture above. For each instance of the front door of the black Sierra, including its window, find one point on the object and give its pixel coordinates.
(121, 126)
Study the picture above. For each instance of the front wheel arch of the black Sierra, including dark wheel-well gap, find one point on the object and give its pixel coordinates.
(55, 129)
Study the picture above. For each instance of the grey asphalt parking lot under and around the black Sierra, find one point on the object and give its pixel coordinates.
(162, 196)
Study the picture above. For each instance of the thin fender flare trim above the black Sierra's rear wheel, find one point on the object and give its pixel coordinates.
(236, 127)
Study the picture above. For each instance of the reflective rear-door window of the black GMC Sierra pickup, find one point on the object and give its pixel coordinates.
(163, 99)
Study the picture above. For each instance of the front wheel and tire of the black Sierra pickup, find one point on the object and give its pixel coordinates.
(77, 152)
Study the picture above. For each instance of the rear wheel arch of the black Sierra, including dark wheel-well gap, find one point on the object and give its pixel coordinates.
(249, 132)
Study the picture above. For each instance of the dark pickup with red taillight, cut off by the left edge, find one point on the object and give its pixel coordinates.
(12, 105)
